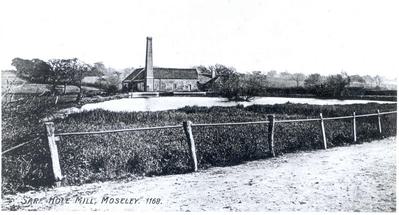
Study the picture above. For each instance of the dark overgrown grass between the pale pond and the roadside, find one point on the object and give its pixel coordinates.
(103, 157)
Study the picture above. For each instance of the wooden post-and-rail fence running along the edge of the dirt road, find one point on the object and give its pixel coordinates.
(52, 136)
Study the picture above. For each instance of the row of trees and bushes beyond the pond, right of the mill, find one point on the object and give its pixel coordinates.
(239, 86)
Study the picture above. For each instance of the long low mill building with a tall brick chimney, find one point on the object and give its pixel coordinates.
(150, 79)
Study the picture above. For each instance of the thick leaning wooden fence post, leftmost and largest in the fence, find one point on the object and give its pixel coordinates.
(54, 153)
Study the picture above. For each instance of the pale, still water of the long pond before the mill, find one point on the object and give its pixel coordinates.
(122, 103)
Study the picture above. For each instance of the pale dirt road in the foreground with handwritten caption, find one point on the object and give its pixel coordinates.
(355, 178)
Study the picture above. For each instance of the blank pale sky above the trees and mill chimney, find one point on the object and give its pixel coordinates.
(360, 37)
